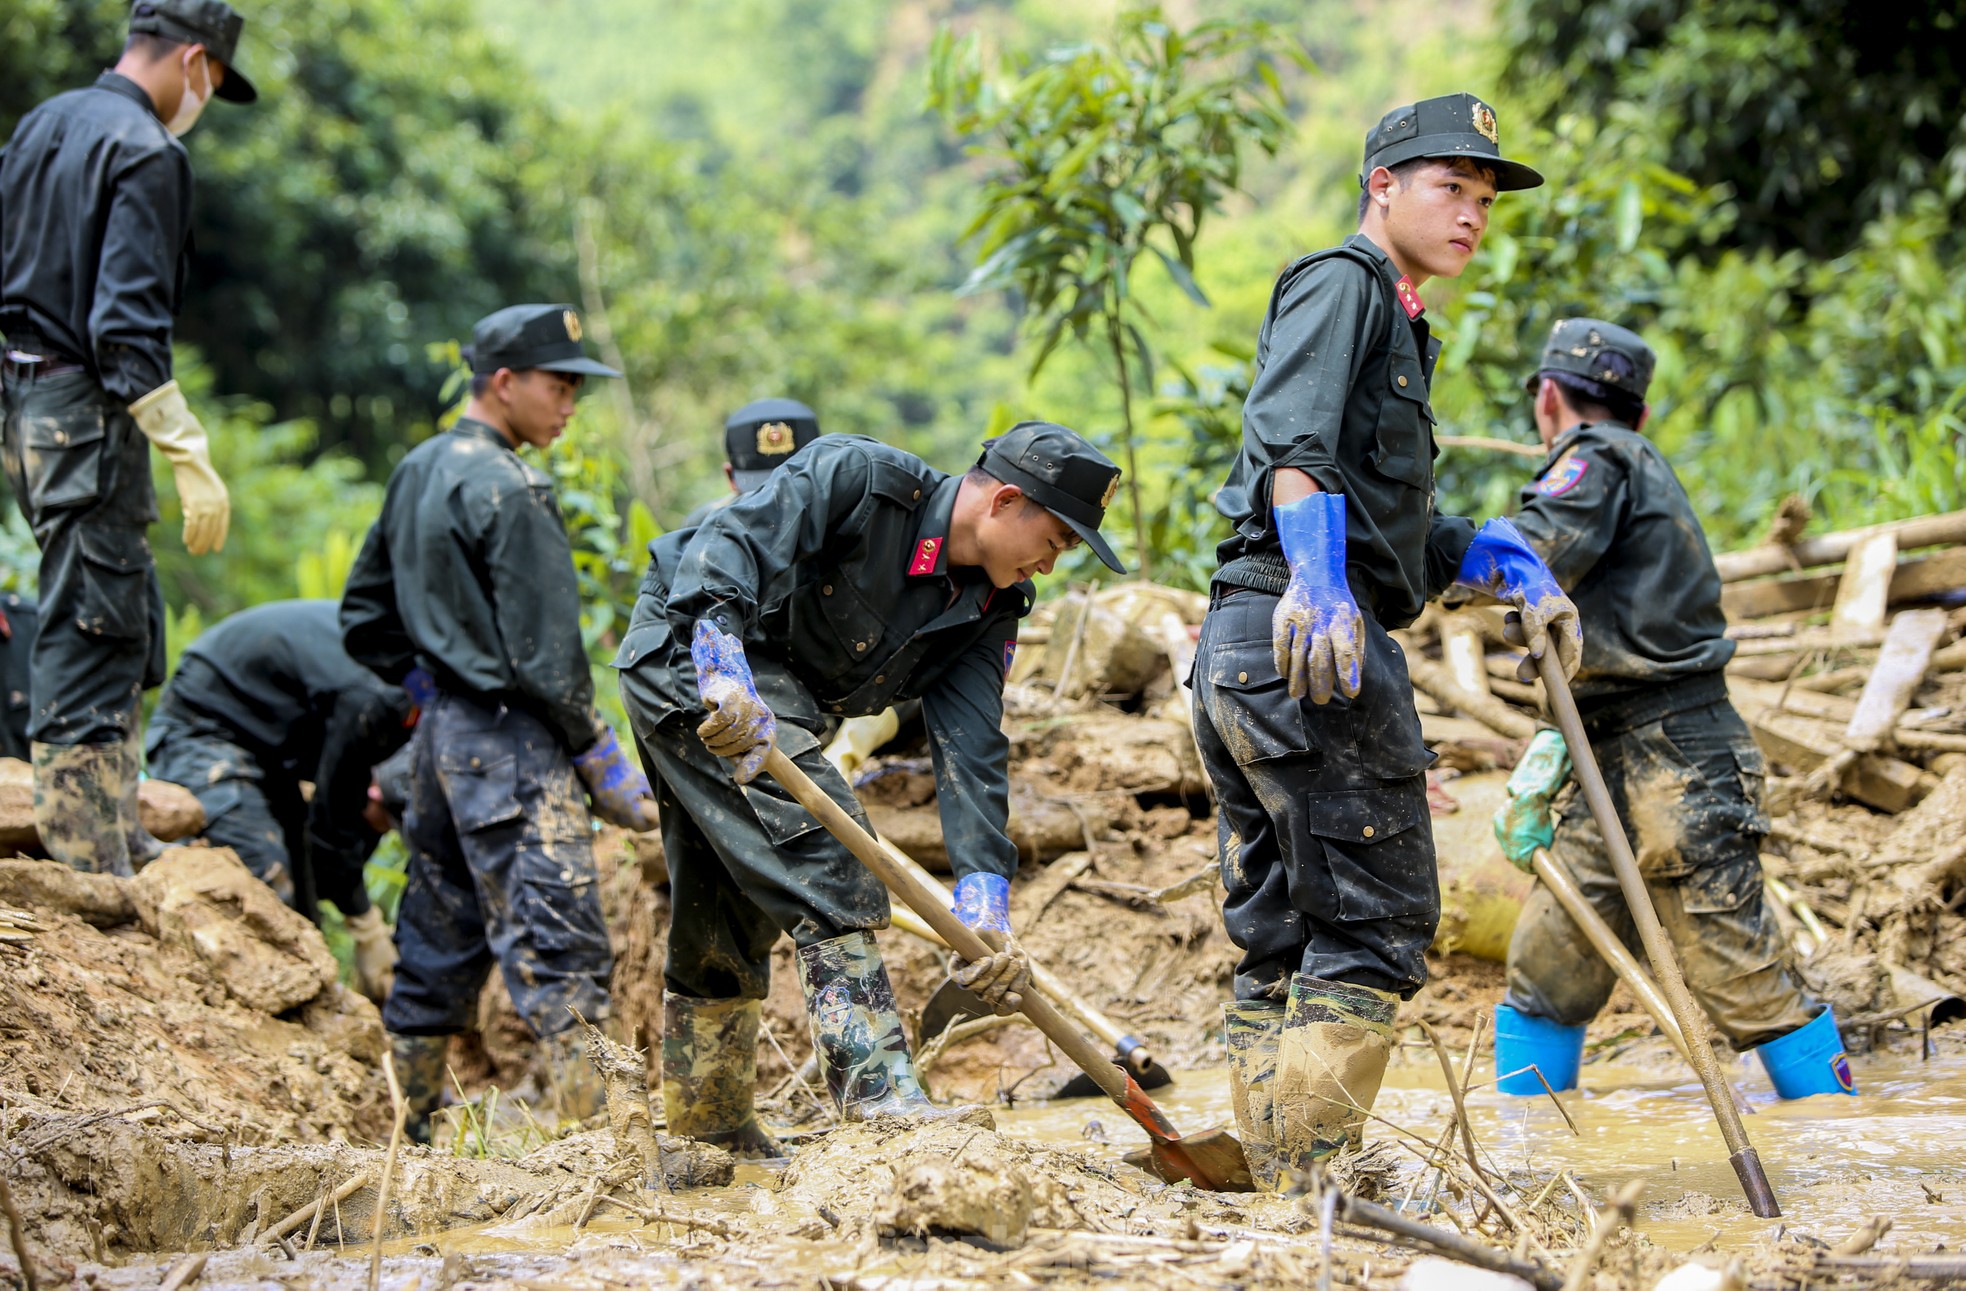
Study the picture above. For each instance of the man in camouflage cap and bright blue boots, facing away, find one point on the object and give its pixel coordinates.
(1617, 528)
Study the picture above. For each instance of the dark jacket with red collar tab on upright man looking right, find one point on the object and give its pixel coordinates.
(1342, 394)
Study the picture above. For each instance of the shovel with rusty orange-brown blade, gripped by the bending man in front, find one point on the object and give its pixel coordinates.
(1212, 1160)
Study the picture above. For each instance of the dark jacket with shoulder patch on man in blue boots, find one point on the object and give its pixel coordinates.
(1617, 530)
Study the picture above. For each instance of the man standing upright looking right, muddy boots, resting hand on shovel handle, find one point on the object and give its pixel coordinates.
(1304, 714)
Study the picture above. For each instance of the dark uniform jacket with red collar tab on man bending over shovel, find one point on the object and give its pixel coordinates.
(838, 567)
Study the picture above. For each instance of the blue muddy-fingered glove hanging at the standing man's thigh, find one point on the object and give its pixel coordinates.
(1318, 632)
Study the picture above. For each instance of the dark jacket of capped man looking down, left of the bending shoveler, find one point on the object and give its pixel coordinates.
(469, 575)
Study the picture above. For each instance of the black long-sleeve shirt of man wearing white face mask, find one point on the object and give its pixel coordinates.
(95, 233)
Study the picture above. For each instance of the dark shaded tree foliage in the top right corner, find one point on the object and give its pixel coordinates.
(1821, 115)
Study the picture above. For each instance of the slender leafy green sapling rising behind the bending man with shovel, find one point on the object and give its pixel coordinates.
(1108, 152)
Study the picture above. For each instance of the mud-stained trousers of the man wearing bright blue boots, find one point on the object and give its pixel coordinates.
(1688, 791)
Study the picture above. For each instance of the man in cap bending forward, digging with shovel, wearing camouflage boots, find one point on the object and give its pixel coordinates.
(858, 577)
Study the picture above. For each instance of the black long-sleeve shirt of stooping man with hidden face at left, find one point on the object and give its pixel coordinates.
(278, 683)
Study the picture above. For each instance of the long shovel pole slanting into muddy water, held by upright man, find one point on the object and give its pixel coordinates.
(1658, 948)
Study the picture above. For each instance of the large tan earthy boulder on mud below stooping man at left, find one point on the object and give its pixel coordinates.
(207, 903)
